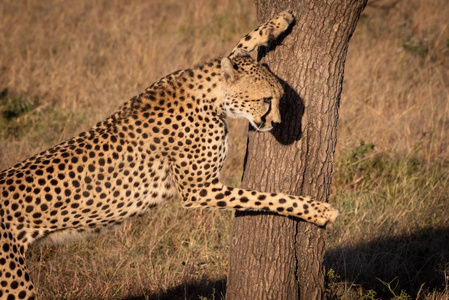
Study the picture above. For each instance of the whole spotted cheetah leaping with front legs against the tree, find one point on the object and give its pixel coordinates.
(170, 140)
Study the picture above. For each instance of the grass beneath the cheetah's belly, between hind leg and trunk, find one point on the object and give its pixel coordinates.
(185, 251)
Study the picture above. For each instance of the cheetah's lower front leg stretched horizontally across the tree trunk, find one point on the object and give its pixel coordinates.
(219, 196)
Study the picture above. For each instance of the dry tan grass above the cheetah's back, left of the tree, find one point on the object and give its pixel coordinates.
(82, 59)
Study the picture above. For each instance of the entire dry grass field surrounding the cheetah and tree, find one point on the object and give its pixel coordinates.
(64, 65)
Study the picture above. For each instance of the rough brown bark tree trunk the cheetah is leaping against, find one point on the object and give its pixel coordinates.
(275, 257)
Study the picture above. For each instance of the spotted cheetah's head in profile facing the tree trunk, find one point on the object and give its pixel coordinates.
(251, 91)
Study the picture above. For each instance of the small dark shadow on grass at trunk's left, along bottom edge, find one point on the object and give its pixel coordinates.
(209, 289)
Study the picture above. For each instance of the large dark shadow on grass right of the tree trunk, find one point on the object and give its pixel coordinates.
(412, 261)
